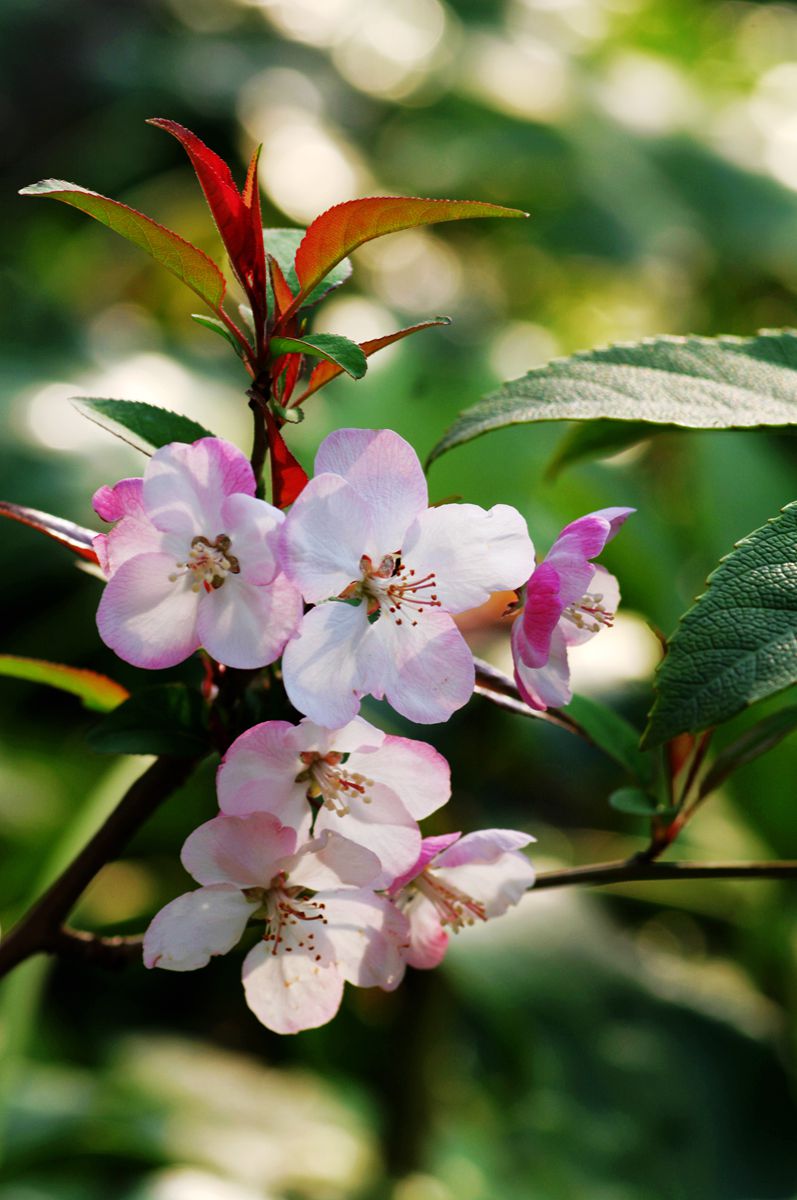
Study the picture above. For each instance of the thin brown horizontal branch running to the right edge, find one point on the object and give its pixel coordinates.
(637, 871)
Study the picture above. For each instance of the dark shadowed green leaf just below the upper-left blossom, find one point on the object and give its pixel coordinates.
(167, 719)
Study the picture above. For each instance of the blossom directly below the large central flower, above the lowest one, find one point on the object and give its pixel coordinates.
(370, 787)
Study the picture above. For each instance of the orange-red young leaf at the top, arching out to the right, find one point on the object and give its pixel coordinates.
(343, 229)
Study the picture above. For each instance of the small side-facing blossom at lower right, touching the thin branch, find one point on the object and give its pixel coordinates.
(458, 881)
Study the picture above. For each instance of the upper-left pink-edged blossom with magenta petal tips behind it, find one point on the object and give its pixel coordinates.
(193, 562)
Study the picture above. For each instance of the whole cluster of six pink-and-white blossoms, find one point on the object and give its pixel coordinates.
(317, 837)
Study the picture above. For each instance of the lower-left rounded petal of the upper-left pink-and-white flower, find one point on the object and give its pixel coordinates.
(148, 620)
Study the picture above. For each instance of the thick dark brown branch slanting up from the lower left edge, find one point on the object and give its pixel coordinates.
(40, 929)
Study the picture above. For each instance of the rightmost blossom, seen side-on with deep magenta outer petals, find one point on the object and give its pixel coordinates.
(568, 601)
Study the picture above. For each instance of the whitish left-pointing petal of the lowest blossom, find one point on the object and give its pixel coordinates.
(190, 931)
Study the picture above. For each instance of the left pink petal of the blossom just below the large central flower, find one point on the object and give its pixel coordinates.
(259, 773)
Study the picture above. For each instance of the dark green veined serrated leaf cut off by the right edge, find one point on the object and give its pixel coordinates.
(739, 644)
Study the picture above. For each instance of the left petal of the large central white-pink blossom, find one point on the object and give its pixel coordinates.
(325, 538)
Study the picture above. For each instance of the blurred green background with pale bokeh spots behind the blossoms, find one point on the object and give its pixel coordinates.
(628, 1045)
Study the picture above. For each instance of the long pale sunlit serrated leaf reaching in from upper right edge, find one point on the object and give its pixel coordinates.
(699, 383)
